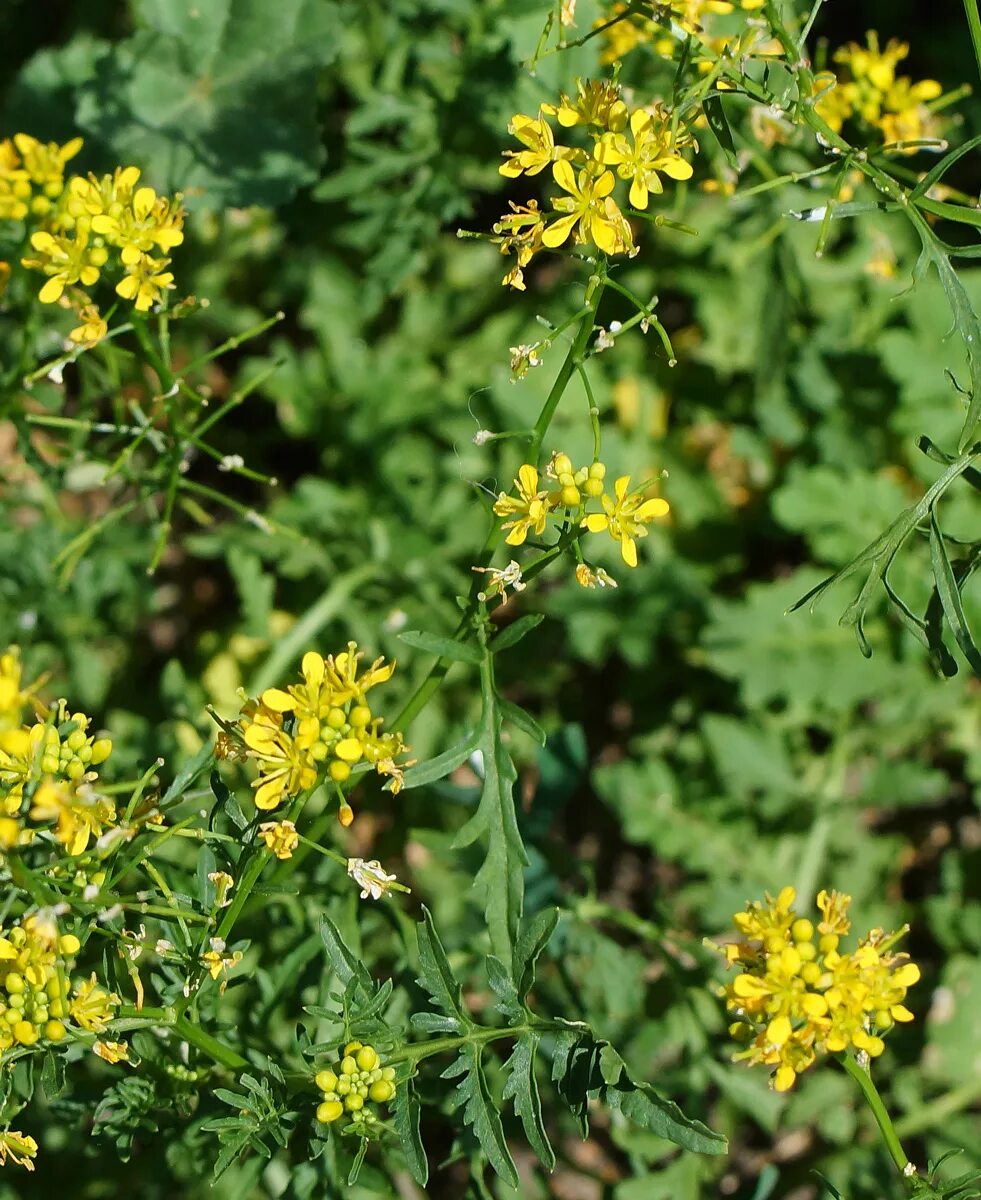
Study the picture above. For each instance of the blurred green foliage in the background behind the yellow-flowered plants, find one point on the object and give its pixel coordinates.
(702, 746)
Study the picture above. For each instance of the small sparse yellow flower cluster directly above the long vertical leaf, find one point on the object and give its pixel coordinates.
(625, 517)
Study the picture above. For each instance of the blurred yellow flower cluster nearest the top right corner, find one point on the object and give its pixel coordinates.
(871, 92)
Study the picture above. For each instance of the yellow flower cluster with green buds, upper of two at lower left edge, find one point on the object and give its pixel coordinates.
(47, 773)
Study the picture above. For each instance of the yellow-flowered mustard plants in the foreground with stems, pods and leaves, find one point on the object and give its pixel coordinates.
(105, 947)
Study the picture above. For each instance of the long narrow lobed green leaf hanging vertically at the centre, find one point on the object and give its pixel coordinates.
(501, 880)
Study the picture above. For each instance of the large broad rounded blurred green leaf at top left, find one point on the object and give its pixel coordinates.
(218, 100)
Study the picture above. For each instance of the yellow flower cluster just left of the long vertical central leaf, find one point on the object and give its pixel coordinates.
(323, 724)
